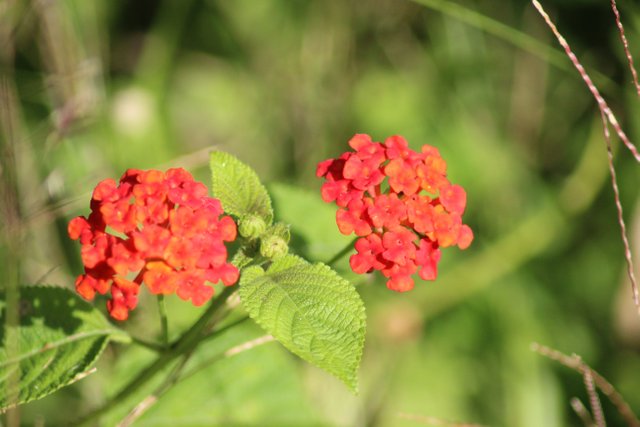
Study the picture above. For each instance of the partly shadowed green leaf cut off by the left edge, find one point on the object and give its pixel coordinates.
(58, 339)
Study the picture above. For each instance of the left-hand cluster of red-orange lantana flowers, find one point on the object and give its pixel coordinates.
(156, 227)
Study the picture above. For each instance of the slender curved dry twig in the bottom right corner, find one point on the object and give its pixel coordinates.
(576, 363)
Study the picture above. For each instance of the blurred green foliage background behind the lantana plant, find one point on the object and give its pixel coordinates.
(90, 88)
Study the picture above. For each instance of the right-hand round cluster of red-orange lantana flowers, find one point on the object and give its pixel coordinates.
(403, 228)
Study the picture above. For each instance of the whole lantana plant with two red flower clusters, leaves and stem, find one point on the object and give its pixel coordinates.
(160, 232)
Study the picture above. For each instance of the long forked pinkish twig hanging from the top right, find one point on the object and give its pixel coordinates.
(607, 116)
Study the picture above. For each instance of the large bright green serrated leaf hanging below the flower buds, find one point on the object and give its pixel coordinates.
(311, 310)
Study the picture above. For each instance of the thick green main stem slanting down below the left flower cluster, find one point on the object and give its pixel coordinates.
(186, 343)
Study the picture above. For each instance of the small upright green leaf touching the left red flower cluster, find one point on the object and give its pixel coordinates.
(238, 187)
